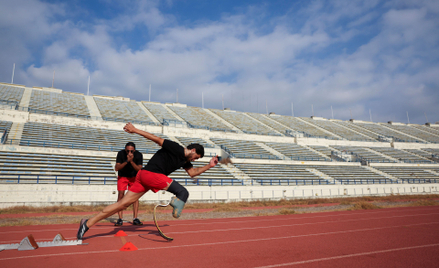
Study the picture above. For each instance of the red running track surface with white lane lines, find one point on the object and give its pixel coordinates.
(398, 237)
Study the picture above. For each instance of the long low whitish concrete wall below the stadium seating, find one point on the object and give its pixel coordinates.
(57, 194)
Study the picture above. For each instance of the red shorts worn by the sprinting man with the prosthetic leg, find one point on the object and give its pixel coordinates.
(147, 180)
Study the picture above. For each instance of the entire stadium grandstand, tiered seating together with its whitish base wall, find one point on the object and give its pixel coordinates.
(60, 148)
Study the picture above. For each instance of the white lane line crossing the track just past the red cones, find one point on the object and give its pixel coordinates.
(224, 242)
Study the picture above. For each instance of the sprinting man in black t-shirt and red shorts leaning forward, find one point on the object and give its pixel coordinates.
(154, 176)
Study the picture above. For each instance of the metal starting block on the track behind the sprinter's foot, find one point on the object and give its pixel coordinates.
(29, 243)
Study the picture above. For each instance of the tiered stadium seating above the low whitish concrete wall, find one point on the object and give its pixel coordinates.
(262, 144)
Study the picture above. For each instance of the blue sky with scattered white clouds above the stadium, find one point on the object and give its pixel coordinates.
(366, 60)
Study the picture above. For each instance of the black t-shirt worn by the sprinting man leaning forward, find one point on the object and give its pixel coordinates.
(168, 159)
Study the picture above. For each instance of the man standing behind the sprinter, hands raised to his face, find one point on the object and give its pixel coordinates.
(128, 163)
